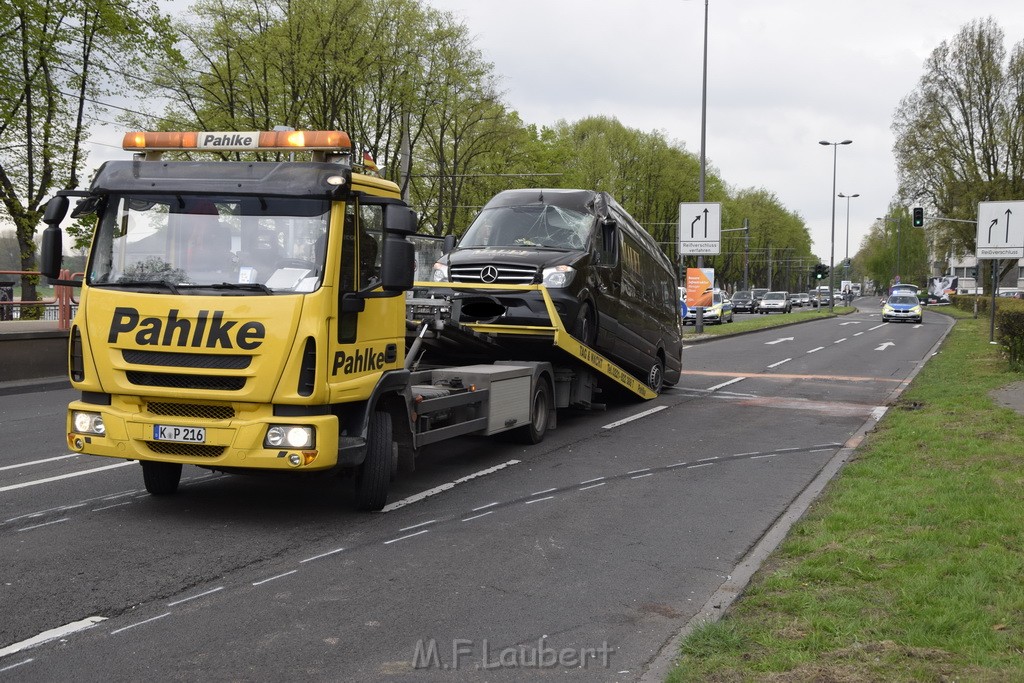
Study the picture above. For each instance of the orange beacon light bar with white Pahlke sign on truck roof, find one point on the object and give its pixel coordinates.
(317, 141)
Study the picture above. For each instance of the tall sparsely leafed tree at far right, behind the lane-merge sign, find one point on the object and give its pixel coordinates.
(960, 135)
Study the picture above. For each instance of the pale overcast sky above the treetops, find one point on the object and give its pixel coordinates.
(782, 76)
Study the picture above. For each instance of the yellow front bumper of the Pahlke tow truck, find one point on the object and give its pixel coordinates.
(233, 435)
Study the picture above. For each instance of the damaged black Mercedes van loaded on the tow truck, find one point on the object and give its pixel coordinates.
(613, 286)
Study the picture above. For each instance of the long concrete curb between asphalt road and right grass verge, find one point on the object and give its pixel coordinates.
(742, 575)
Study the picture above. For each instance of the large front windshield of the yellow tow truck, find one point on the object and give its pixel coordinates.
(210, 244)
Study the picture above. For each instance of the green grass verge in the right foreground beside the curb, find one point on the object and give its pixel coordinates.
(910, 567)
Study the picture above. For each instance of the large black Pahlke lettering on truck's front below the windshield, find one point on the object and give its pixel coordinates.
(206, 331)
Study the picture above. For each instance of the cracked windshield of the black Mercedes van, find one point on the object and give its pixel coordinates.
(533, 226)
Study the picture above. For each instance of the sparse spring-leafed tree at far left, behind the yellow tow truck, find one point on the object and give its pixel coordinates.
(58, 60)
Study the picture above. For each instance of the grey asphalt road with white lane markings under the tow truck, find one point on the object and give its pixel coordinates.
(578, 559)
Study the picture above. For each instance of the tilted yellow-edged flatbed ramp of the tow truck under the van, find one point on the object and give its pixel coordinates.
(435, 336)
